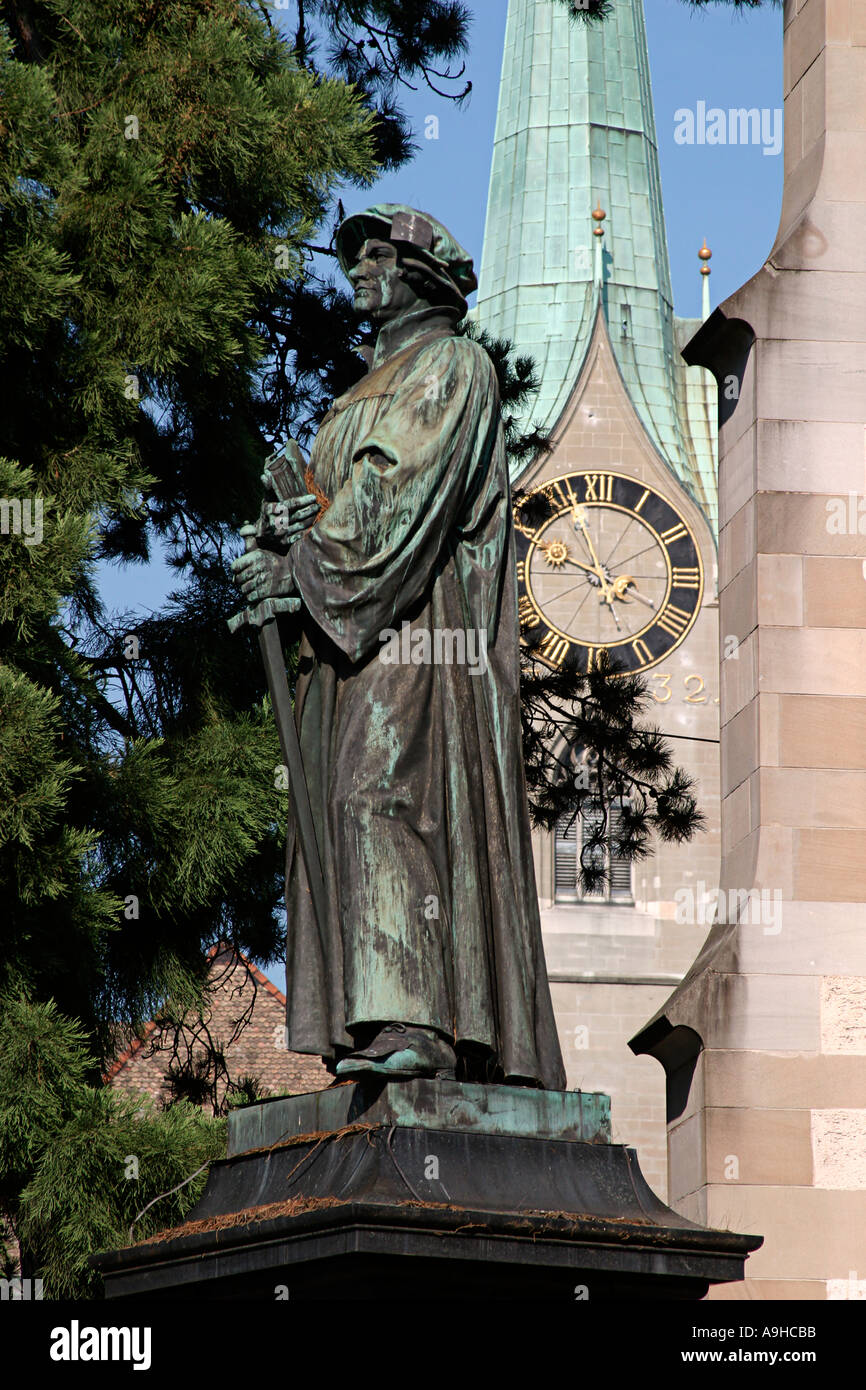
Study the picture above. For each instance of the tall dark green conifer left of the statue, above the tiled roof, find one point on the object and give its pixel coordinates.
(163, 166)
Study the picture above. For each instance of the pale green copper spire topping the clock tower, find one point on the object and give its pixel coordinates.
(576, 126)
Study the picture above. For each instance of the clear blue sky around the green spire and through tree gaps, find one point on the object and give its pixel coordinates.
(729, 194)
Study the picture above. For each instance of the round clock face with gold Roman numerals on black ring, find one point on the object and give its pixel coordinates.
(614, 569)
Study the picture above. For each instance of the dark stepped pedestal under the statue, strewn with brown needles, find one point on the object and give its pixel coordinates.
(429, 1189)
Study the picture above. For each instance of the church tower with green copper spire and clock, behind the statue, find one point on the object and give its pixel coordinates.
(576, 275)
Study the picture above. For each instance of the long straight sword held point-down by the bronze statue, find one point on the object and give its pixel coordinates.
(263, 616)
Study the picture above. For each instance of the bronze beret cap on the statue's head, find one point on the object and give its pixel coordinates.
(422, 240)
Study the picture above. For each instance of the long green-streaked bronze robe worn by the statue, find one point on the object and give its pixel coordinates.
(415, 771)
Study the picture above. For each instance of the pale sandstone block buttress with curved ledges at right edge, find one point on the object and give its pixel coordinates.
(764, 1042)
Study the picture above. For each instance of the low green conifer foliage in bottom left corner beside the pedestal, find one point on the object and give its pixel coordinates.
(84, 1168)
